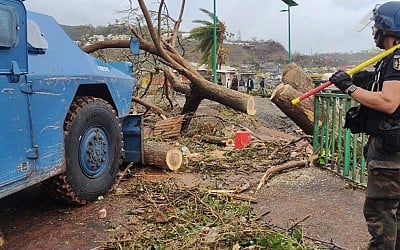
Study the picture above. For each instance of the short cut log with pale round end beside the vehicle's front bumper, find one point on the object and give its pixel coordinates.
(160, 154)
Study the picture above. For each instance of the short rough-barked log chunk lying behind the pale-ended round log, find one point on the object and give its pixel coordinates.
(169, 128)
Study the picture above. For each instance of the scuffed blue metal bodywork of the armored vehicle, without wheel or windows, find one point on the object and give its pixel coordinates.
(36, 91)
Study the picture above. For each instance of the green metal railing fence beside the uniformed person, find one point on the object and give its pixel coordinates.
(338, 149)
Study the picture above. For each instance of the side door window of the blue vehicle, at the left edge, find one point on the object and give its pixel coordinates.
(8, 27)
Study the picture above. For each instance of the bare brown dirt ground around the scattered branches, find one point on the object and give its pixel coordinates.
(327, 207)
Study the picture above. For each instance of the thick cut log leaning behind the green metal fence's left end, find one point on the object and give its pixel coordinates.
(302, 114)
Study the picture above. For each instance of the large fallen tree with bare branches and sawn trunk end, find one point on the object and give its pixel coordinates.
(163, 46)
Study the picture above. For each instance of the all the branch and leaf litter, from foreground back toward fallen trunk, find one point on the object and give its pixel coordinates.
(210, 214)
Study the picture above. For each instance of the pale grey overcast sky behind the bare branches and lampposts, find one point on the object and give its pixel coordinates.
(317, 26)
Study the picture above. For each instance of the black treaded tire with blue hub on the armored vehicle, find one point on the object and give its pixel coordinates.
(93, 144)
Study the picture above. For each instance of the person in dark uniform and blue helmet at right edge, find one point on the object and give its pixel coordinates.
(378, 115)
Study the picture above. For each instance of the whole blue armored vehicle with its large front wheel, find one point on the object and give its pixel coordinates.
(64, 114)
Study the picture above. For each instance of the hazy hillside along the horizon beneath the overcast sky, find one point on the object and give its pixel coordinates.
(261, 52)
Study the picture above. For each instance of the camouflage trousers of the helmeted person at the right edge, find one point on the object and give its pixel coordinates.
(381, 207)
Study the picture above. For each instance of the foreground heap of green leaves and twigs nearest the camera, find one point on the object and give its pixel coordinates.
(178, 218)
